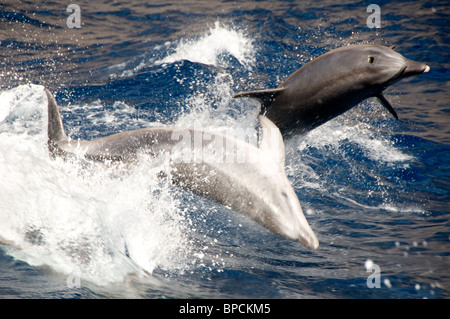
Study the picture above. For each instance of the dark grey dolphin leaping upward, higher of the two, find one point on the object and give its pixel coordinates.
(332, 84)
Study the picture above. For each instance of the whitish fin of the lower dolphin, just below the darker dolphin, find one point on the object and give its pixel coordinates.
(272, 142)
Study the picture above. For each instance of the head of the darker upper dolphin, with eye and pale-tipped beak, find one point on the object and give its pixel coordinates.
(381, 66)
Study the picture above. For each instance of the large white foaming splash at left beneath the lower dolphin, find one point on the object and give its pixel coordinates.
(76, 217)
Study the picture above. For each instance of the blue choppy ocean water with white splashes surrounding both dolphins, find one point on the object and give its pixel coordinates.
(374, 190)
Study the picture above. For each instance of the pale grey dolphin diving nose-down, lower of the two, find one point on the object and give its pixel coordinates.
(248, 179)
